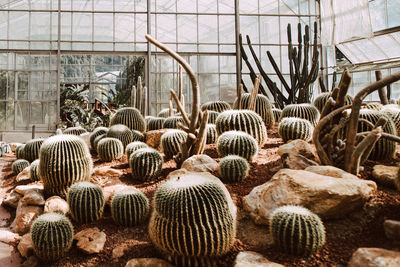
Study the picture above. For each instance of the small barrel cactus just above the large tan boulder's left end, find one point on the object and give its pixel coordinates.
(233, 169)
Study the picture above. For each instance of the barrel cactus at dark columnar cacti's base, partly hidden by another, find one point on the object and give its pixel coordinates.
(303, 111)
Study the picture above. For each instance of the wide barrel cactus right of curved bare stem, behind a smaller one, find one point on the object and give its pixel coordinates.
(242, 120)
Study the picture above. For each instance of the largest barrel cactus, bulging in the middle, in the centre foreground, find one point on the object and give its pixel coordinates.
(194, 218)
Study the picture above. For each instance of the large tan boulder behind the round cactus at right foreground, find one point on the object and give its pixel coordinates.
(327, 196)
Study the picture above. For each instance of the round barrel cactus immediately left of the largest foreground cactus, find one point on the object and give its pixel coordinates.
(129, 207)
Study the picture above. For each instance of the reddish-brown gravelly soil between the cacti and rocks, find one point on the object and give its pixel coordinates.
(363, 228)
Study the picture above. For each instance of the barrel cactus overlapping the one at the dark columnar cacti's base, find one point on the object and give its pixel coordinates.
(291, 128)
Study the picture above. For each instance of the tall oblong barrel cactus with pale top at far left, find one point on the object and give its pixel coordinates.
(64, 160)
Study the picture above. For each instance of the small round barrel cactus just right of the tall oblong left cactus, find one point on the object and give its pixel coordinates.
(109, 149)
